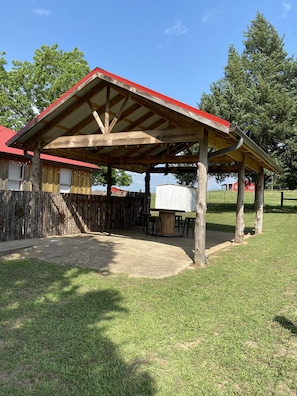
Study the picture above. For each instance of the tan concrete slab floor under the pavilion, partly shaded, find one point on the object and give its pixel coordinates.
(124, 251)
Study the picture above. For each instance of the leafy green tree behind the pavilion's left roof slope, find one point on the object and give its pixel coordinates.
(27, 88)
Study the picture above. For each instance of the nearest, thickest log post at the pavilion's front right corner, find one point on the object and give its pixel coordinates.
(200, 223)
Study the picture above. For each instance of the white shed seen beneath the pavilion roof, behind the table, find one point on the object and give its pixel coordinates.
(175, 197)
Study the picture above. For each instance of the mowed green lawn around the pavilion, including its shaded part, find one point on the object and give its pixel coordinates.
(228, 329)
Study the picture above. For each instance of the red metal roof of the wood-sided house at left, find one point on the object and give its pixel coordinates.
(6, 134)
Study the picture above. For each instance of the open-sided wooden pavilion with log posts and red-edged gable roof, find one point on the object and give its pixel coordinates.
(107, 120)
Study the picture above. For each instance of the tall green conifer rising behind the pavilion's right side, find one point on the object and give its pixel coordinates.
(258, 91)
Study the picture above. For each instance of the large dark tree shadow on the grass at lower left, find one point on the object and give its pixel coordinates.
(54, 335)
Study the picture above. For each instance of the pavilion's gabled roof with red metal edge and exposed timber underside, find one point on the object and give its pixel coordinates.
(134, 110)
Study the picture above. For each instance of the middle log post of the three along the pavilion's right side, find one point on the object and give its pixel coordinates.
(239, 228)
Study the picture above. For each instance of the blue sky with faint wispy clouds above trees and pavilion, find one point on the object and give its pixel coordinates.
(175, 47)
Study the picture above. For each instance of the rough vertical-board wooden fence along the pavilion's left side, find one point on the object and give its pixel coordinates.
(24, 214)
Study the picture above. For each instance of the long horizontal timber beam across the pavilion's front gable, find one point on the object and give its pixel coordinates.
(174, 135)
